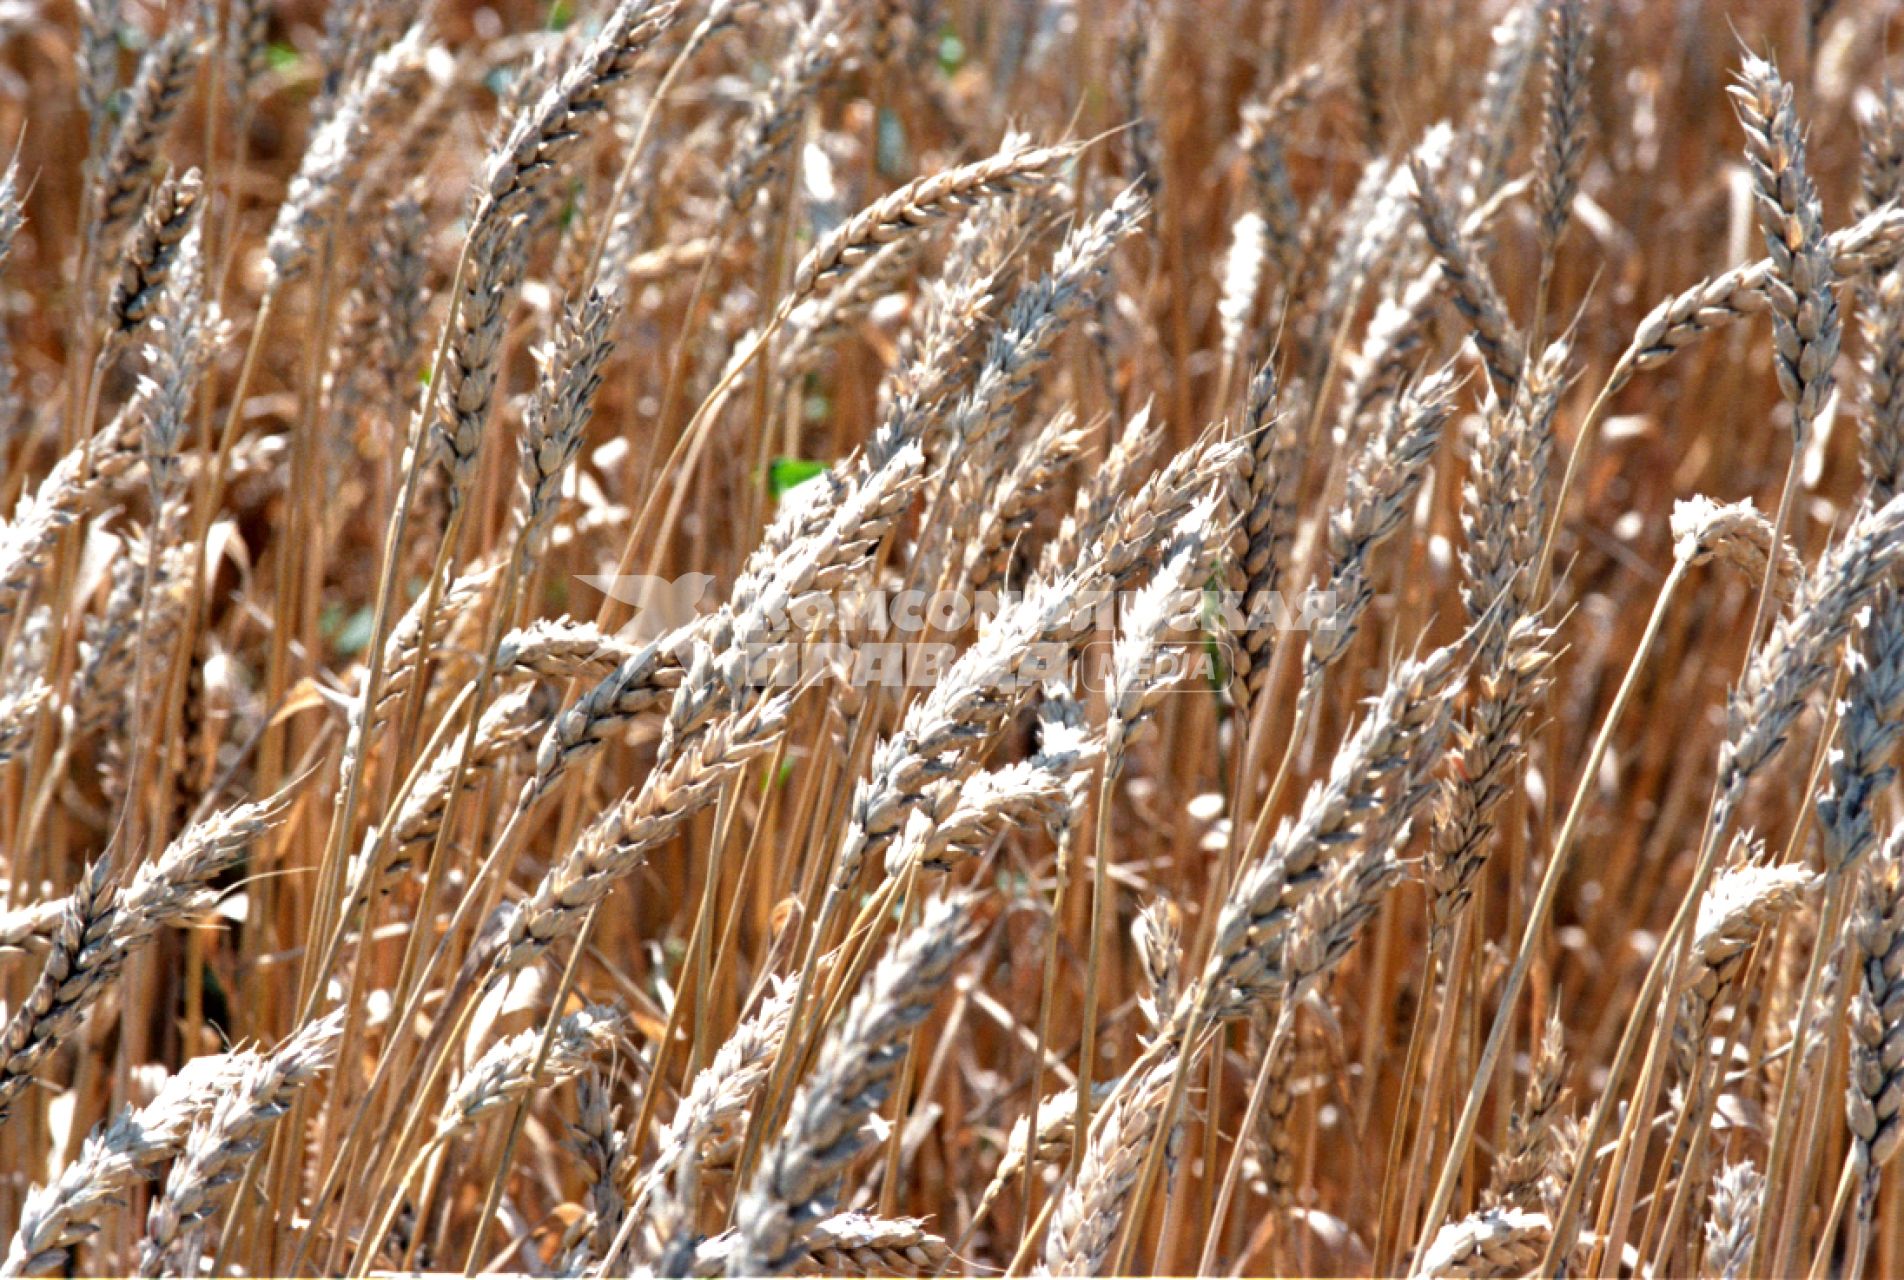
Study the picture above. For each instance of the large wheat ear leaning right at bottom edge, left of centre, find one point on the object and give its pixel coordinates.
(797, 1184)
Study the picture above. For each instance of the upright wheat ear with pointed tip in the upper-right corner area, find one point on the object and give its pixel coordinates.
(1806, 330)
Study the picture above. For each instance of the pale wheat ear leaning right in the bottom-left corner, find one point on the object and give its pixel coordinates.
(115, 1157)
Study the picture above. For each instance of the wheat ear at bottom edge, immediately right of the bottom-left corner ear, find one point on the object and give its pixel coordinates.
(224, 1142)
